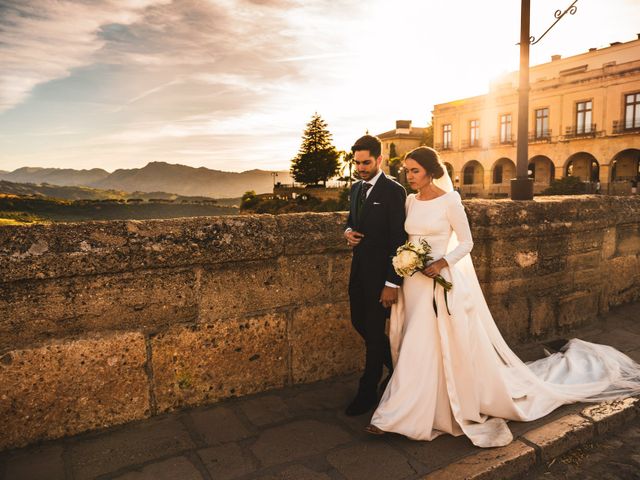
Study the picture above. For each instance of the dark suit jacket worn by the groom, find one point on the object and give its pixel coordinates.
(382, 223)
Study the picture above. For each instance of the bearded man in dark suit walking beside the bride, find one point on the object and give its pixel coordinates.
(375, 229)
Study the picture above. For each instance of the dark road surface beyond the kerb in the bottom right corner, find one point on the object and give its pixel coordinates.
(613, 458)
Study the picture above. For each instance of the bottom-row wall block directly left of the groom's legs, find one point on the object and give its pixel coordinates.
(324, 343)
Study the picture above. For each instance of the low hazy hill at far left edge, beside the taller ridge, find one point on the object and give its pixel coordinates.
(55, 176)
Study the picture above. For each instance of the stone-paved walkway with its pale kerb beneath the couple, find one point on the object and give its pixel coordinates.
(301, 433)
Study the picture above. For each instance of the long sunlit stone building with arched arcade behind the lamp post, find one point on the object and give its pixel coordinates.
(584, 121)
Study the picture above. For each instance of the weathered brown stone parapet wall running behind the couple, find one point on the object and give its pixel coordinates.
(107, 322)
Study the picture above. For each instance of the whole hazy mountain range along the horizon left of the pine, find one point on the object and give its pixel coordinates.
(156, 177)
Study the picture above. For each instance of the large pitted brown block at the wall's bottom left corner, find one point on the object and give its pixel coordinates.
(68, 387)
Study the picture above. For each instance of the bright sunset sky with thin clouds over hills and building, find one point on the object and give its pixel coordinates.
(231, 84)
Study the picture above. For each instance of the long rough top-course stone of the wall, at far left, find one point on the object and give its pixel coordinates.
(58, 250)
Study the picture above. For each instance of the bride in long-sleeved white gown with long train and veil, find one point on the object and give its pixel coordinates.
(454, 373)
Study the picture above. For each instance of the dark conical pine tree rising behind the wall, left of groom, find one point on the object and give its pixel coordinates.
(317, 159)
